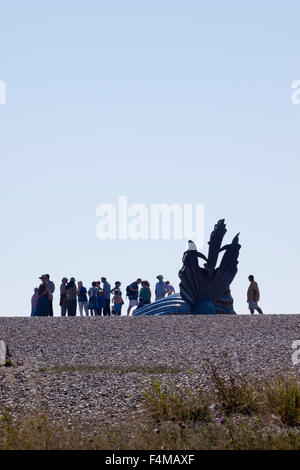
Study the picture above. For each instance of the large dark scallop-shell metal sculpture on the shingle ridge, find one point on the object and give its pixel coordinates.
(202, 290)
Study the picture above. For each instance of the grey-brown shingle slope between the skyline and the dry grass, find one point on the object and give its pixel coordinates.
(94, 368)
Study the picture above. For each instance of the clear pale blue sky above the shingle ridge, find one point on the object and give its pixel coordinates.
(185, 102)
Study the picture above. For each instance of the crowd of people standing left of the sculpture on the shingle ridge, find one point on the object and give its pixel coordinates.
(96, 301)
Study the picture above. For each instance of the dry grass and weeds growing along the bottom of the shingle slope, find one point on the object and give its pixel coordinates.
(230, 414)
